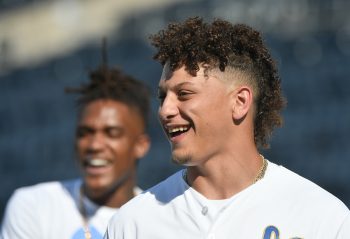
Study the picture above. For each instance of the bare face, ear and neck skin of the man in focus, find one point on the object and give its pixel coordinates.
(217, 138)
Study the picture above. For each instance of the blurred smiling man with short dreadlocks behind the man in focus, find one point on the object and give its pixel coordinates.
(110, 139)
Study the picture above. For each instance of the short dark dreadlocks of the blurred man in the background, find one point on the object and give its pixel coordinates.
(111, 83)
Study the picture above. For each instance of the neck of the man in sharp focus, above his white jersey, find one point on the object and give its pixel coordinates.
(225, 176)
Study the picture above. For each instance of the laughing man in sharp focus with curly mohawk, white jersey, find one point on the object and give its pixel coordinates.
(220, 98)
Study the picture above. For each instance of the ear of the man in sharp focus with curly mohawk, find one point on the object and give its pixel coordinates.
(242, 102)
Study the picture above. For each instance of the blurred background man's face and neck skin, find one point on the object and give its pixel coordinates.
(110, 139)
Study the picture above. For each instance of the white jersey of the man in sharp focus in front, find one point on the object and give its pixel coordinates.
(282, 205)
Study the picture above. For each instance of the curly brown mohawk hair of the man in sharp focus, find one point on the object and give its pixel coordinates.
(221, 44)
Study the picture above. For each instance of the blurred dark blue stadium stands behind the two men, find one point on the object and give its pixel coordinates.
(47, 45)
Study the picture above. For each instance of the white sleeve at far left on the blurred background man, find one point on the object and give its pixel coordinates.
(19, 218)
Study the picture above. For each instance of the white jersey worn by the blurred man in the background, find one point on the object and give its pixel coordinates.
(51, 210)
